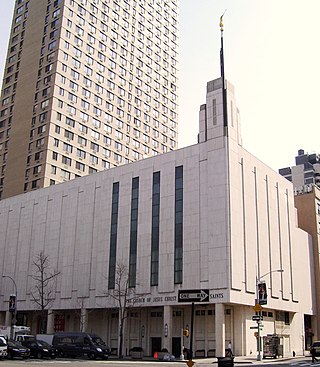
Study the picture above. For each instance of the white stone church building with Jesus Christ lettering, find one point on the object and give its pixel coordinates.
(239, 224)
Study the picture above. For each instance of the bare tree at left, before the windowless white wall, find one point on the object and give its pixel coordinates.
(42, 293)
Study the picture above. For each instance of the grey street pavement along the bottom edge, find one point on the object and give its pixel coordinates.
(293, 362)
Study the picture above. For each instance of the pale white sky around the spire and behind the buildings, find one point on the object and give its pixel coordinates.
(272, 57)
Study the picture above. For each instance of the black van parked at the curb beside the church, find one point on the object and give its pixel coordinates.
(80, 344)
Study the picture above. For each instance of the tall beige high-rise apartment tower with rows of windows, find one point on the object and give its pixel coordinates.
(88, 85)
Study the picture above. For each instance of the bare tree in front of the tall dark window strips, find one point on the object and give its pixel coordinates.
(123, 296)
